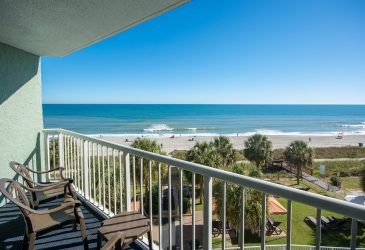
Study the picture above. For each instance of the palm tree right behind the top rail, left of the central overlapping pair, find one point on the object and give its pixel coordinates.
(202, 153)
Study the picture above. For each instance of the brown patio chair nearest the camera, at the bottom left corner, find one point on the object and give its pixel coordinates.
(42, 221)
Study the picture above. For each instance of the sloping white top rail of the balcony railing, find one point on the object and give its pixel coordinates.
(319, 201)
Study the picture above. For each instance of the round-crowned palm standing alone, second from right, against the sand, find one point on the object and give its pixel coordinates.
(258, 149)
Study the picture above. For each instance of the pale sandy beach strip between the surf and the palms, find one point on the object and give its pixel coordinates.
(279, 141)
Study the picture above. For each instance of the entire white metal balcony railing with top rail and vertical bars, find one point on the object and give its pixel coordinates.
(103, 172)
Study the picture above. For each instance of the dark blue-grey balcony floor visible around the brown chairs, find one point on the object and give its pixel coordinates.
(12, 231)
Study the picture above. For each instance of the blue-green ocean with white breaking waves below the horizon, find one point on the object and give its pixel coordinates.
(159, 120)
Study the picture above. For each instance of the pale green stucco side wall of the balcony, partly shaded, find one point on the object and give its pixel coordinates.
(21, 120)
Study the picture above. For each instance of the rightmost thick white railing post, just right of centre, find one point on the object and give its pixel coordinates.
(207, 222)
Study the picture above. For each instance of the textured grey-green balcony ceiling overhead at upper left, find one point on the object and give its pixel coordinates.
(60, 27)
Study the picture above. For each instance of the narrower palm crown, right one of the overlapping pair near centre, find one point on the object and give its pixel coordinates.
(225, 149)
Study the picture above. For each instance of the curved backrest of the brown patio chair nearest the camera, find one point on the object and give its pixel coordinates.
(14, 192)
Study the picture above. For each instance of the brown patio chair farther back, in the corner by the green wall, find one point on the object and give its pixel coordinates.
(42, 192)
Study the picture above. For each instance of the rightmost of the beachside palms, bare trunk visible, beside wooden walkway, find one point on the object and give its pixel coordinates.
(300, 155)
